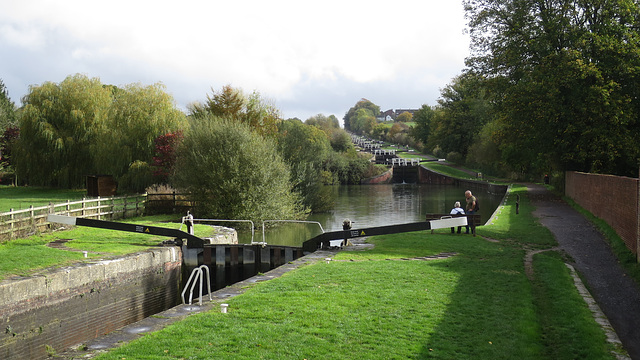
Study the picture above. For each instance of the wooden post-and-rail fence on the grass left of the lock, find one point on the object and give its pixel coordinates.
(21, 223)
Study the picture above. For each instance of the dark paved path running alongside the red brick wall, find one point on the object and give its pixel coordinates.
(617, 295)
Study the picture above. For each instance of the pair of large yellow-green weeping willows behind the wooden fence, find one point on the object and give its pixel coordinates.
(81, 127)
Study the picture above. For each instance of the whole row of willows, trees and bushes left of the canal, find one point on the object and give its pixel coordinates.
(233, 153)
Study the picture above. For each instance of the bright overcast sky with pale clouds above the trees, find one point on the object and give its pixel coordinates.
(306, 57)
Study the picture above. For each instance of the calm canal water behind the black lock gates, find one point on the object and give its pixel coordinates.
(375, 205)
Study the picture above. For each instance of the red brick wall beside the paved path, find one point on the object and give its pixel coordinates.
(611, 198)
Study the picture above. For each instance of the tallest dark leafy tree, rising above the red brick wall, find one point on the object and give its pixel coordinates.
(565, 79)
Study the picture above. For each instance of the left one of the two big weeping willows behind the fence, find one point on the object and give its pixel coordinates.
(58, 127)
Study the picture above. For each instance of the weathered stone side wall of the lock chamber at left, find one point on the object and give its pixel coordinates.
(50, 312)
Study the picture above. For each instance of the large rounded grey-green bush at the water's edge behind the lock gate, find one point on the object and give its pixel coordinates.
(234, 172)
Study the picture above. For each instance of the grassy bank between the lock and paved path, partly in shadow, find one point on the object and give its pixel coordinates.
(391, 303)
